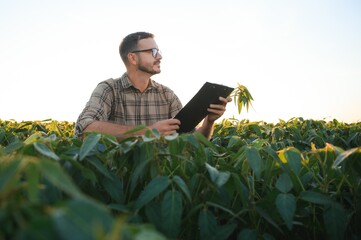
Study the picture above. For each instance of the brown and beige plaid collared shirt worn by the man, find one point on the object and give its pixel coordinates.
(118, 101)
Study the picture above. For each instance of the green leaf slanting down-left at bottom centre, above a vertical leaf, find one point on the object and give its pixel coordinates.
(153, 189)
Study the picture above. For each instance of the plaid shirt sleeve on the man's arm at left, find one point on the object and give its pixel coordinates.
(98, 108)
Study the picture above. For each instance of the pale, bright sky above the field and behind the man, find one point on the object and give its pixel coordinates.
(297, 58)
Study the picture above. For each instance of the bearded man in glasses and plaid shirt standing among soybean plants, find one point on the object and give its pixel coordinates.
(118, 105)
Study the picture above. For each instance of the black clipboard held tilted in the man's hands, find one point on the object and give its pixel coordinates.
(196, 109)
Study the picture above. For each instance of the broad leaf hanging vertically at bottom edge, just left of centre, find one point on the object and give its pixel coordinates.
(171, 214)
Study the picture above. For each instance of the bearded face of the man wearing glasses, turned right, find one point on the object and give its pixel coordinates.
(146, 61)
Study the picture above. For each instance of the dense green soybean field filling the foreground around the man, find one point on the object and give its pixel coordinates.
(298, 179)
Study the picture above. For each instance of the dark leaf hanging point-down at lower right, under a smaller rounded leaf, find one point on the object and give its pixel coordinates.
(286, 205)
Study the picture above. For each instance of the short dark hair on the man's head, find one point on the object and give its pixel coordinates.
(130, 43)
